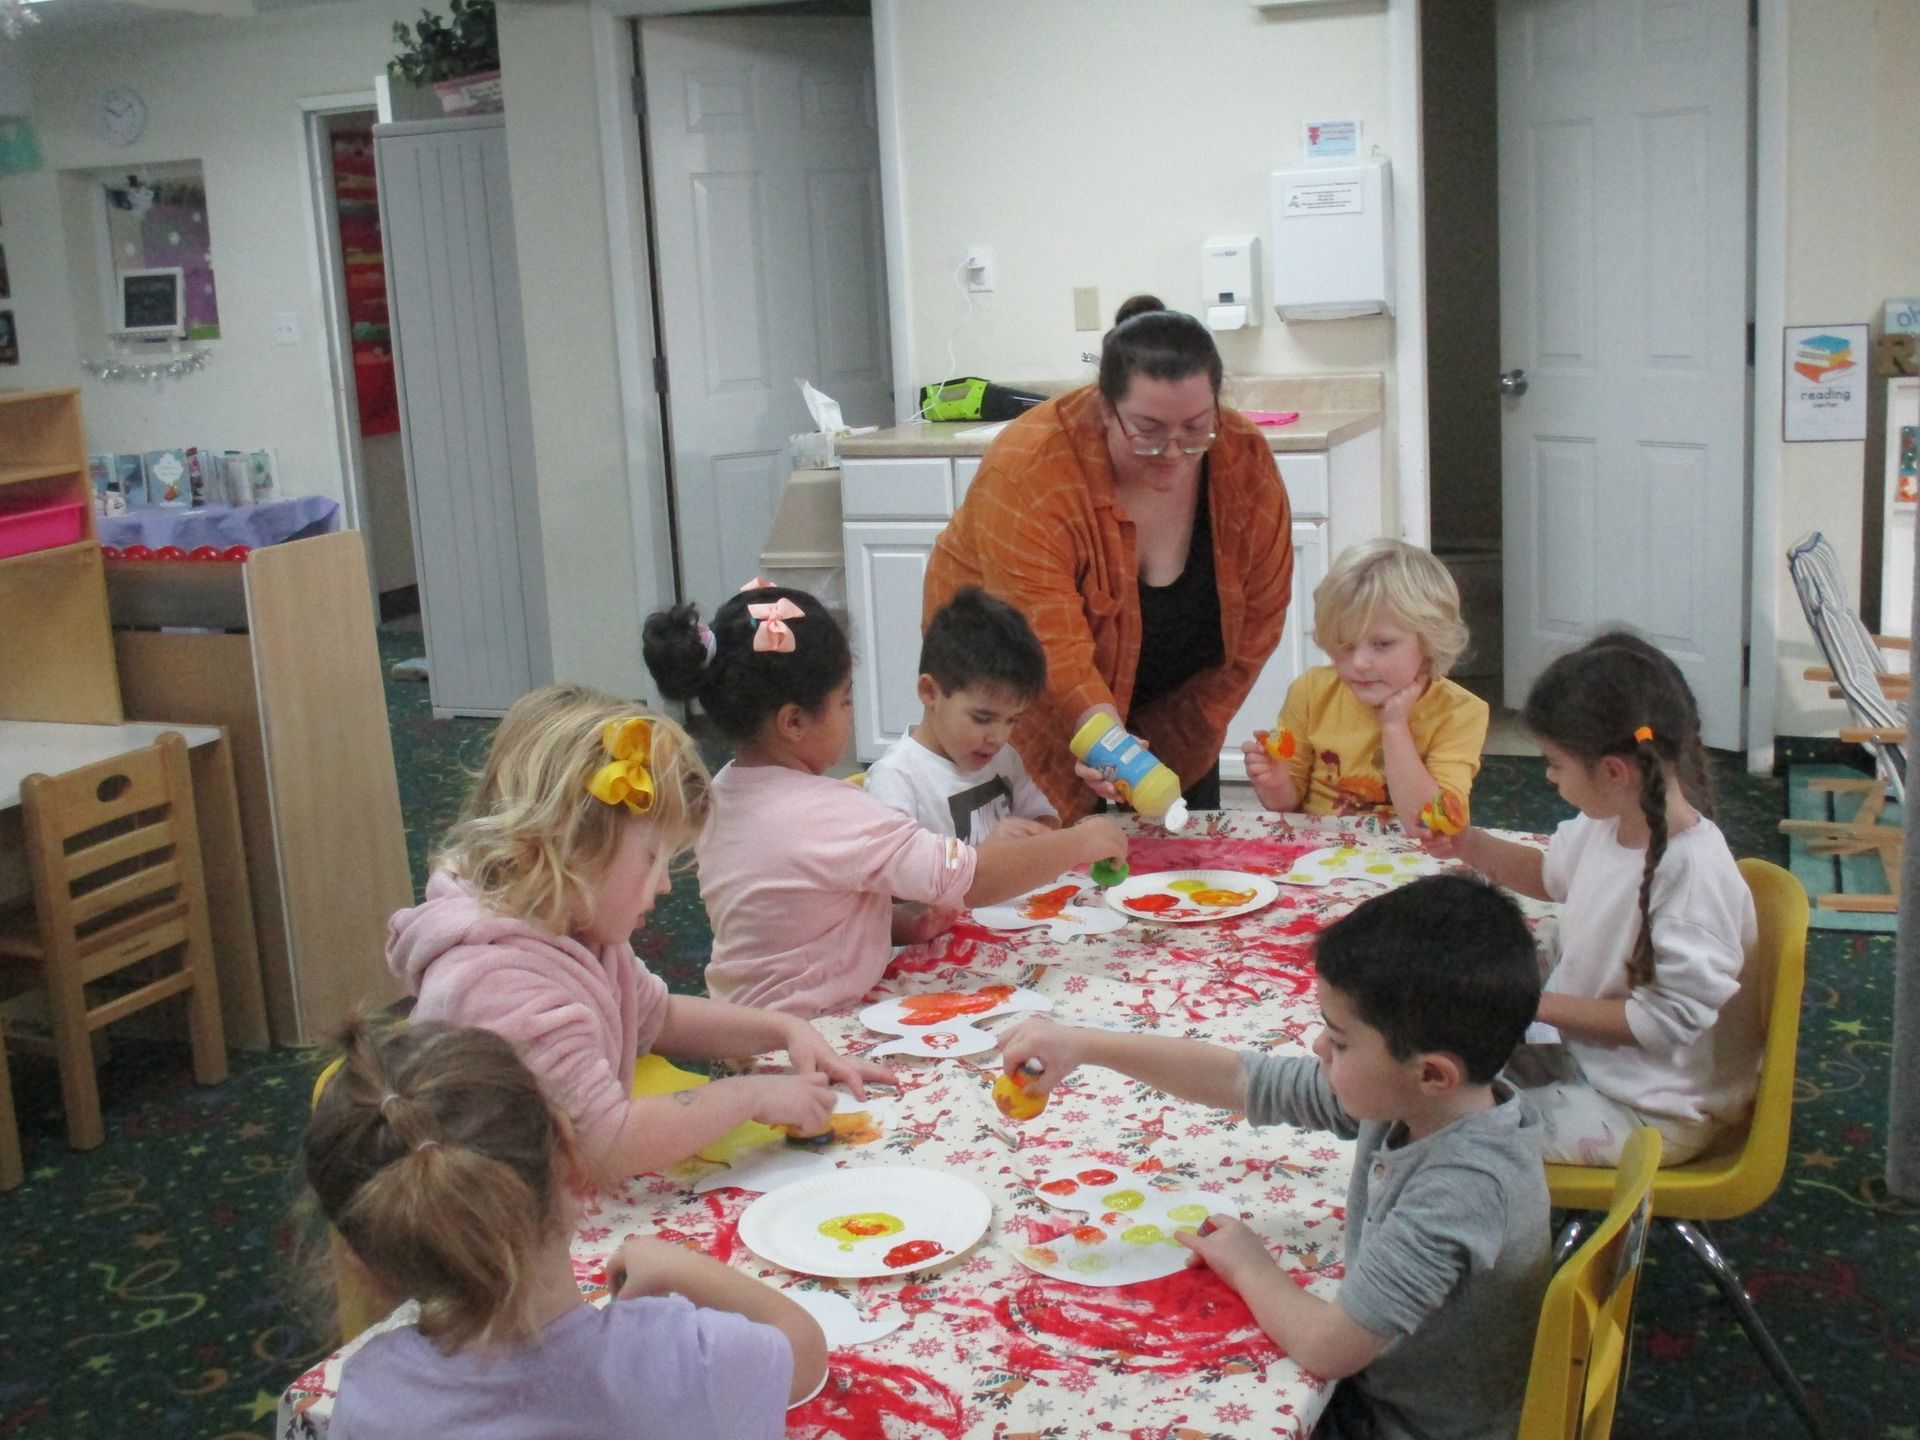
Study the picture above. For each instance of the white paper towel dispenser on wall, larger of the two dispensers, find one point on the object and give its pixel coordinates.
(1333, 241)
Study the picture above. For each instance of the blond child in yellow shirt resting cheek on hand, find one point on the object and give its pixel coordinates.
(1381, 731)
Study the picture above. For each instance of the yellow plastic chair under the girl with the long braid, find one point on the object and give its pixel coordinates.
(1733, 1184)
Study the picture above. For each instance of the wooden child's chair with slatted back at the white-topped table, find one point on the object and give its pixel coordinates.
(116, 882)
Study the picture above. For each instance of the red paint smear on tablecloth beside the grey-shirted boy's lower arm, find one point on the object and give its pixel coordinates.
(1188, 1322)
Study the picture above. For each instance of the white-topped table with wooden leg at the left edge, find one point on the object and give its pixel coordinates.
(53, 748)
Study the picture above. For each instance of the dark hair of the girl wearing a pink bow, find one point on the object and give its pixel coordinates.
(769, 646)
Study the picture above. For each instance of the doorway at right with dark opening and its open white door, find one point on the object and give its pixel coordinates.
(1589, 283)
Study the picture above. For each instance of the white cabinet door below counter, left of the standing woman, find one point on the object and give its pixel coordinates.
(886, 573)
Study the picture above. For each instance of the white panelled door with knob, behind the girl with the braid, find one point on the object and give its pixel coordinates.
(1623, 291)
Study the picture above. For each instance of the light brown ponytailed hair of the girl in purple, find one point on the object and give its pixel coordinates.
(433, 1153)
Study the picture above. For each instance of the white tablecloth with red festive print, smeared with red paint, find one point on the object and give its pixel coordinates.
(994, 1351)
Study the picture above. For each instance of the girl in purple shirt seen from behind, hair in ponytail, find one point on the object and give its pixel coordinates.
(450, 1180)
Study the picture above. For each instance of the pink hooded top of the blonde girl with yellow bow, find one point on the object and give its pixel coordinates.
(581, 1017)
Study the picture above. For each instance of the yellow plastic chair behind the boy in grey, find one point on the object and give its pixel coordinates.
(1589, 1312)
